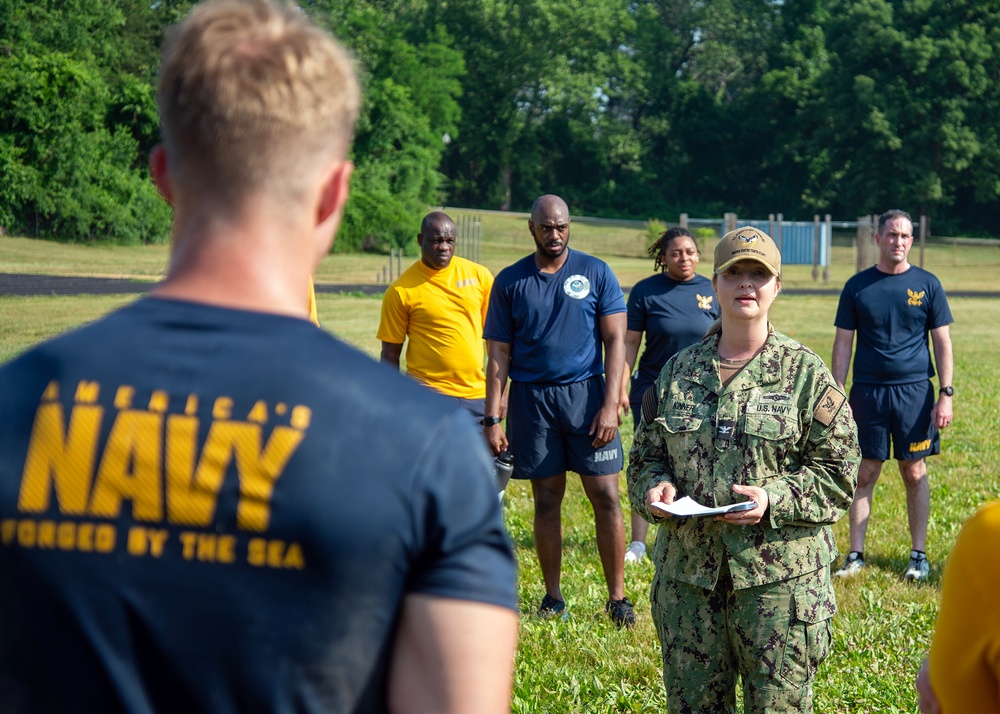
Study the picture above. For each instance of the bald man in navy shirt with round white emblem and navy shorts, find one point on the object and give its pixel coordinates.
(550, 316)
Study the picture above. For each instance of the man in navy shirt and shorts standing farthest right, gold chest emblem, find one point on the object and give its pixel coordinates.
(893, 307)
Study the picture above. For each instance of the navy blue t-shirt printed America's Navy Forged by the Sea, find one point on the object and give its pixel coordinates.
(213, 510)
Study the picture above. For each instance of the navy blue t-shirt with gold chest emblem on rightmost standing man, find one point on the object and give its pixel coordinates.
(892, 316)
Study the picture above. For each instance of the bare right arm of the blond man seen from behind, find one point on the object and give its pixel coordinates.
(452, 657)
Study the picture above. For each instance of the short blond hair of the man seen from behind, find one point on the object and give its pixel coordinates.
(253, 96)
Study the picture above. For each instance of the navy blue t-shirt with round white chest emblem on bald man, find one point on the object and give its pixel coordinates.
(551, 319)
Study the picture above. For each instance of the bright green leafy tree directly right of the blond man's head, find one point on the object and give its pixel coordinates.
(411, 78)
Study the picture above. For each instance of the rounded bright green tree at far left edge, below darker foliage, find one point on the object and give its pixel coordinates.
(68, 175)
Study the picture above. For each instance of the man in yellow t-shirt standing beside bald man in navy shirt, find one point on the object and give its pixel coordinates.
(439, 303)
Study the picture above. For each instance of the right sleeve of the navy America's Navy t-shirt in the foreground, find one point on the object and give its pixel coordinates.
(464, 552)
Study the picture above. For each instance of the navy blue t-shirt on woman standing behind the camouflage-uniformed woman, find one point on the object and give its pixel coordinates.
(673, 315)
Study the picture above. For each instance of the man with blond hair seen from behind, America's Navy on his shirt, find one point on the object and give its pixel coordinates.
(209, 505)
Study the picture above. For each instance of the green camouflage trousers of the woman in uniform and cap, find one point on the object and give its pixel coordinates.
(772, 636)
